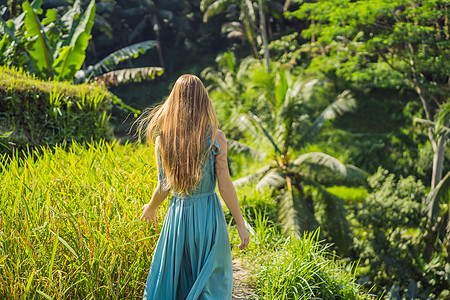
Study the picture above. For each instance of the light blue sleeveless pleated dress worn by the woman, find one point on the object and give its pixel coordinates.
(192, 259)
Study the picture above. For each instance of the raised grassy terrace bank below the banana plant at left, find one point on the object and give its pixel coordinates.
(35, 112)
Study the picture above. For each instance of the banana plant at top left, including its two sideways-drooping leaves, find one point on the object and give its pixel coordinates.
(55, 48)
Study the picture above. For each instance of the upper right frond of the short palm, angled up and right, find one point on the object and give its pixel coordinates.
(344, 103)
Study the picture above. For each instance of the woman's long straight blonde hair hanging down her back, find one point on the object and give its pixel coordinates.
(183, 123)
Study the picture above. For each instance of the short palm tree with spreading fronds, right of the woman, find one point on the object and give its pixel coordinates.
(288, 124)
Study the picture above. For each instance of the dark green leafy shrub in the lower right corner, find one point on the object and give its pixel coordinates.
(392, 237)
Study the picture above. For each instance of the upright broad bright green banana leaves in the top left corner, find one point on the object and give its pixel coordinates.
(54, 48)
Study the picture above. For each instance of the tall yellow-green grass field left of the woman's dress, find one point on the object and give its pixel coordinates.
(69, 225)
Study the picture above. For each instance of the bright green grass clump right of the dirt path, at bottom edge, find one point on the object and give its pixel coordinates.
(297, 267)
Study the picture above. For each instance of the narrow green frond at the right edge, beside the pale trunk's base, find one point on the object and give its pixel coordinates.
(432, 203)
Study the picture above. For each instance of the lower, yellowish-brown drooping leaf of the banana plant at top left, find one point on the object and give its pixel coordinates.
(129, 75)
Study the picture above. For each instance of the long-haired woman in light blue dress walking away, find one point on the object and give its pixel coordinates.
(192, 259)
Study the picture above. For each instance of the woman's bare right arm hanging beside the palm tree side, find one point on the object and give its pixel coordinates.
(227, 190)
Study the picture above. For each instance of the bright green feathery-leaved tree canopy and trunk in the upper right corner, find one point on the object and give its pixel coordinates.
(401, 44)
